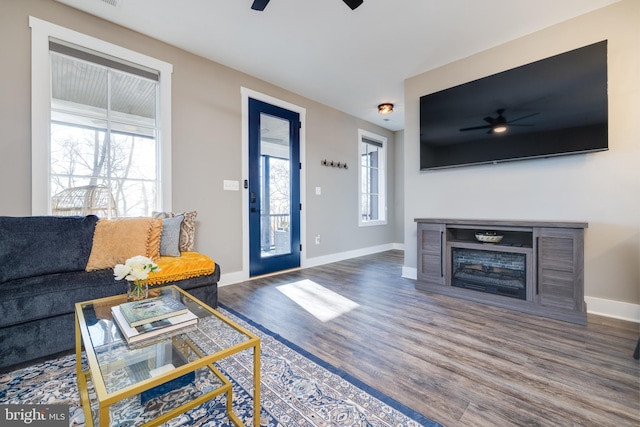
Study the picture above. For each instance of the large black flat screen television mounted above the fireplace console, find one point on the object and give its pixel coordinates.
(552, 107)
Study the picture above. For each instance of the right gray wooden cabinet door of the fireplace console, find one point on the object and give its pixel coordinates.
(560, 268)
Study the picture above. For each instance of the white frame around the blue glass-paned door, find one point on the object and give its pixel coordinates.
(246, 94)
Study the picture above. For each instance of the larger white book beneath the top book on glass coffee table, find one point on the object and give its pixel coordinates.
(151, 329)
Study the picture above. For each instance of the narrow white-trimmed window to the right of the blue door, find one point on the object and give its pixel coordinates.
(373, 184)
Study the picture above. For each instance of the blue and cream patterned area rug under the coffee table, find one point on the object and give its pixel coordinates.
(298, 389)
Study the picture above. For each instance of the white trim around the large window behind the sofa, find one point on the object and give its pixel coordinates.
(41, 33)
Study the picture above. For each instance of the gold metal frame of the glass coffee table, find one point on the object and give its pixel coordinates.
(180, 340)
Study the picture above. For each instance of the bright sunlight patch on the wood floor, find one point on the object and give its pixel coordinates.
(322, 303)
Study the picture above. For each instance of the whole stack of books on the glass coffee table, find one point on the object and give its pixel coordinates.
(141, 320)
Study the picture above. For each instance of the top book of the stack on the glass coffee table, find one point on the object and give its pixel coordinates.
(148, 310)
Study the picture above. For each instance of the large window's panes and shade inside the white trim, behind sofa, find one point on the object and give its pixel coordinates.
(103, 135)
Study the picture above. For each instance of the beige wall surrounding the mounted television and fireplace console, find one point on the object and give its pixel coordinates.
(602, 189)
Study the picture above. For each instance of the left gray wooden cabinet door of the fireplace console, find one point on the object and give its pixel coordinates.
(431, 253)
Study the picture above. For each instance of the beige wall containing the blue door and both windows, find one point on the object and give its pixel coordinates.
(206, 137)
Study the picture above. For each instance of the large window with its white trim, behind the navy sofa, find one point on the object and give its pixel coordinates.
(100, 130)
